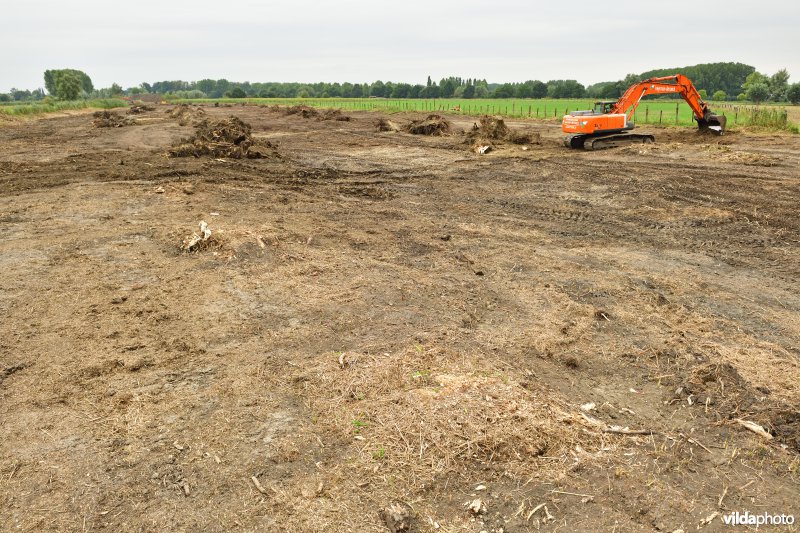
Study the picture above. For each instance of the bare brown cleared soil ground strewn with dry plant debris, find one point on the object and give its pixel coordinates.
(531, 339)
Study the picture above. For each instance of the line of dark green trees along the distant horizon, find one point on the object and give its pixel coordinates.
(720, 81)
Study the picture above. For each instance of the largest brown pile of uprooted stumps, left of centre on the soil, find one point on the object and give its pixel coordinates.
(223, 138)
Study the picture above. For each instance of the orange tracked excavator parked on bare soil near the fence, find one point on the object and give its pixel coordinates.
(608, 124)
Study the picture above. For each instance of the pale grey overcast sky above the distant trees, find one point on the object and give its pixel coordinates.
(360, 41)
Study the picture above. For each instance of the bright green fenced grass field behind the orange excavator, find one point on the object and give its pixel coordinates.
(666, 112)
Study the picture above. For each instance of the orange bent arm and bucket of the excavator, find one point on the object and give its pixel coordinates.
(676, 84)
